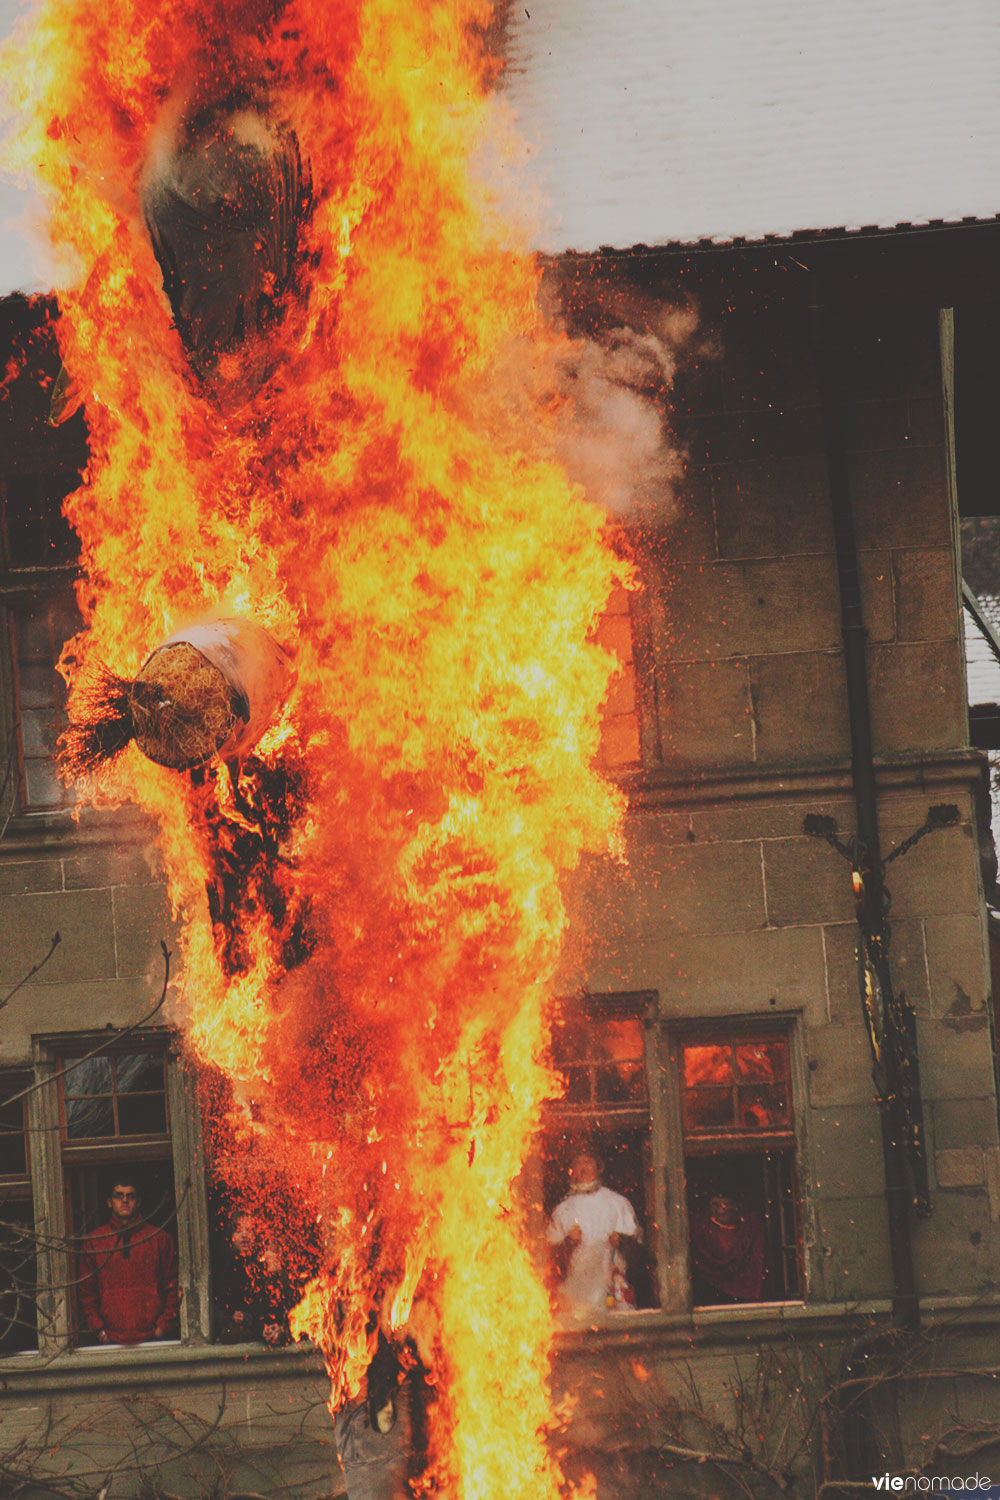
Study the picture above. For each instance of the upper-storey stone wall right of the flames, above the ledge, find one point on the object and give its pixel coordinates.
(743, 574)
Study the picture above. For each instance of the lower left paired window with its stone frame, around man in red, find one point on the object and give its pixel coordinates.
(94, 1112)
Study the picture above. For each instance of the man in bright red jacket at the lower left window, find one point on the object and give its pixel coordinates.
(128, 1276)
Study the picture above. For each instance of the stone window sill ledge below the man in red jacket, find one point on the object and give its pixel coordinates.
(154, 1364)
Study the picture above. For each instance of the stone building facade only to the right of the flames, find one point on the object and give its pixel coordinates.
(732, 925)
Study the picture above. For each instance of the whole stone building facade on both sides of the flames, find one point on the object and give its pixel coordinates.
(711, 1019)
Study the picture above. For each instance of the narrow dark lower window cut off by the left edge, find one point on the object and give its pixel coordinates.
(19, 1324)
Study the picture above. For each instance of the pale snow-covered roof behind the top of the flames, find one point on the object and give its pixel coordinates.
(651, 121)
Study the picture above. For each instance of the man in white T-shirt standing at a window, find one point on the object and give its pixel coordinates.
(593, 1222)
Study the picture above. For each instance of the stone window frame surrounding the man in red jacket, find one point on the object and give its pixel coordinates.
(52, 1156)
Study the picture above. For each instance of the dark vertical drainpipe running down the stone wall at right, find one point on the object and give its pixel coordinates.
(906, 1312)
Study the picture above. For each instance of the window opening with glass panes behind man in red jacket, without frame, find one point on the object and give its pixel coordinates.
(115, 1123)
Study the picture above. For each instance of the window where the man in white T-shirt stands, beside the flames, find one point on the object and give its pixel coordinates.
(600, 1051)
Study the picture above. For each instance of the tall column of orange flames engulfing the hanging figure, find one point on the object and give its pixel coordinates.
(370, 899)
